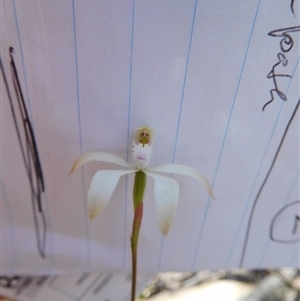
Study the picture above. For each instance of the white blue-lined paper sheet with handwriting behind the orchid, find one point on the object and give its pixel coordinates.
(201, 73)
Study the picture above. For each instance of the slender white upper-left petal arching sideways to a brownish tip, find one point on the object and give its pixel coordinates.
(99, 156)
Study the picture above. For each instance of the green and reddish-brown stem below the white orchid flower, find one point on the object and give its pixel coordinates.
(138, 195)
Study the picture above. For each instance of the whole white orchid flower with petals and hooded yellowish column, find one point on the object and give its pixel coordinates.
(166, 189)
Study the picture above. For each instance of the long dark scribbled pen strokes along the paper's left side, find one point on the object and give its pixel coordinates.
(29, 151)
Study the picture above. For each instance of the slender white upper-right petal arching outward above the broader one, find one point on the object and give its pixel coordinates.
(187, 171)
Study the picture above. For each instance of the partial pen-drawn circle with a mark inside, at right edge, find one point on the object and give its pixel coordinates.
(284, 211)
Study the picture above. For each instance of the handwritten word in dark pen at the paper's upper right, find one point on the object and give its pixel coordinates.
(286, 44)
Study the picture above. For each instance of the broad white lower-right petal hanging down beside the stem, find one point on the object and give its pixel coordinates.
(166, 193)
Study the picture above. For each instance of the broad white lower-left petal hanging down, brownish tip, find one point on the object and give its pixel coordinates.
(102, 187)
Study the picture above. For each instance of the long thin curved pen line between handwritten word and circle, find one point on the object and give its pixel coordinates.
(244, 249)
